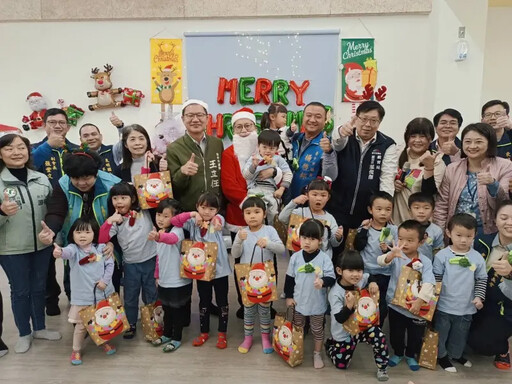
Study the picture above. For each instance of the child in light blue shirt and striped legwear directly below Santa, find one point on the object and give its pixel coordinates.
(255, 238)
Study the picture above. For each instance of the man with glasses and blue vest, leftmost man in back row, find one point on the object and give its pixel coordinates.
(47, 158)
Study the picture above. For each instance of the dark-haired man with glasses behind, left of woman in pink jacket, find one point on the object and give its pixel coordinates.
(447, 123)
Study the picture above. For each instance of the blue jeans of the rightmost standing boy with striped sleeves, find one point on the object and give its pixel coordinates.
(453, 333)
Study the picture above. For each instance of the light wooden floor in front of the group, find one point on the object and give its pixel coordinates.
(136, 361)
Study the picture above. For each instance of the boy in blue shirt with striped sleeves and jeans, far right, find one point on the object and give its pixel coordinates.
(462, 271)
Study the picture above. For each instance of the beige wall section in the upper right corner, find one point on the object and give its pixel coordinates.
(497, 82)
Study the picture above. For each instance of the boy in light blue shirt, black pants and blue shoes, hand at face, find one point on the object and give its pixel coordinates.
(411, 235)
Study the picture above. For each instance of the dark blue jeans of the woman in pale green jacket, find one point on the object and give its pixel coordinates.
(27, 277)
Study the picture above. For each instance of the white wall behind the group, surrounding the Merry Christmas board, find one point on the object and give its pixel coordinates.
(55, 59)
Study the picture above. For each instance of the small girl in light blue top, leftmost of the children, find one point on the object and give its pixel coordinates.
(90, 270)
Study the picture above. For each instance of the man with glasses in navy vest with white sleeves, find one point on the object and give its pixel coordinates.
(367, 163)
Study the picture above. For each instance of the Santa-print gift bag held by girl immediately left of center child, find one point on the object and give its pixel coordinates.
(198, 260)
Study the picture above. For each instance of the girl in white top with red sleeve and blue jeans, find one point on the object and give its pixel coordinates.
(131, 226)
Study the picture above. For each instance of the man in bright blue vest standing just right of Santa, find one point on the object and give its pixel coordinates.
(310, 158)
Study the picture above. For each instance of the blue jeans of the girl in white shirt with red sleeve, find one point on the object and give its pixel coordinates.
(138, 276)
